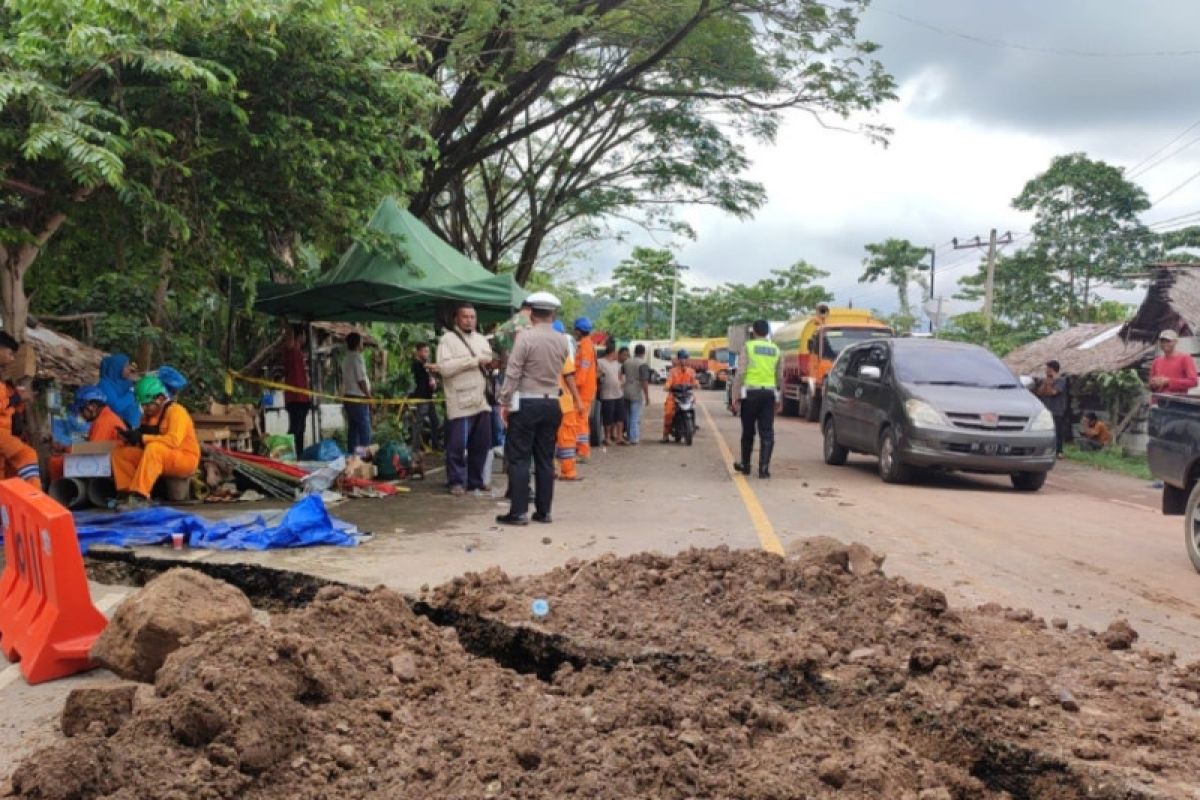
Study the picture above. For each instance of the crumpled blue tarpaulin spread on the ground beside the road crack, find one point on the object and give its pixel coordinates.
(305, 525)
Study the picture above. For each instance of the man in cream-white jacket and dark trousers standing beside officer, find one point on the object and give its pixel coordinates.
(465, 360)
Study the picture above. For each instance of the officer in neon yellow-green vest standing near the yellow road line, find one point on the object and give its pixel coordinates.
(758, 396)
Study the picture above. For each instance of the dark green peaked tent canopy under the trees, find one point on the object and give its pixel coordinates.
(374, 285)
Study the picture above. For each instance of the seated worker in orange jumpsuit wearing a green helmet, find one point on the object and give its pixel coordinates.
(165, 444)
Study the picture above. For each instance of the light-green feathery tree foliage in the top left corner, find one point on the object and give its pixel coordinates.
(68, 136)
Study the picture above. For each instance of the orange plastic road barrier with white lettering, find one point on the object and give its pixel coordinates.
(47, 621)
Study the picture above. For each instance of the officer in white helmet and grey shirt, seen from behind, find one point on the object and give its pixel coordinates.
(532, 413)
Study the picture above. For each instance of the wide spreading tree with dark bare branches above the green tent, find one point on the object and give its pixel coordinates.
(544, 94)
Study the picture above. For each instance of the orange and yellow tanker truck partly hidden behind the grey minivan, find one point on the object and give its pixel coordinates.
(809, 347)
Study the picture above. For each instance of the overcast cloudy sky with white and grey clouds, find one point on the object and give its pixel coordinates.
(973, 125)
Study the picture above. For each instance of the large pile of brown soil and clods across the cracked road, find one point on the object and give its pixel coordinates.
(711, 675)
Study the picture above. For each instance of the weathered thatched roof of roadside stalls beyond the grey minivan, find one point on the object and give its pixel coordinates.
(1173, 302)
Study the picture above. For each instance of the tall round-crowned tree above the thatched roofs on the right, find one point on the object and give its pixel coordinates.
(1087, 228)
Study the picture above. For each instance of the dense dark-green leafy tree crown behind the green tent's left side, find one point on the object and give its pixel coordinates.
(285, 159)
